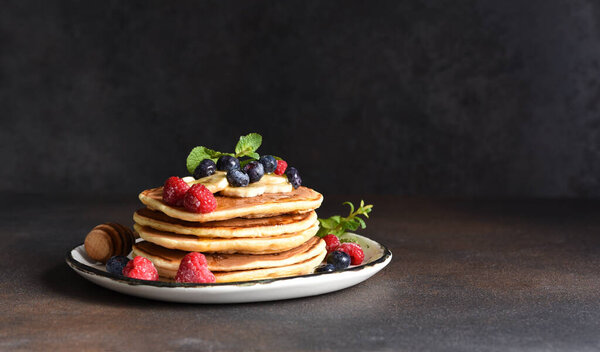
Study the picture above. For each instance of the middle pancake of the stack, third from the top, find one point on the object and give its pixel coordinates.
(251, 245)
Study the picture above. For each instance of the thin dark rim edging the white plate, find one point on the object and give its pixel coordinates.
(87, 269)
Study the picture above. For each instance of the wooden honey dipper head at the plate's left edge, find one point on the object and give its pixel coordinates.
(107, 240)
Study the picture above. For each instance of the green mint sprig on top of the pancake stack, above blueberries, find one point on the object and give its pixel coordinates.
(245, 147)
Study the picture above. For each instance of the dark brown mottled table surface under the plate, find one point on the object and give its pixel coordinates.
(467, 275)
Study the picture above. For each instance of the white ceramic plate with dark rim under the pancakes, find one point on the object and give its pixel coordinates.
(377, 257)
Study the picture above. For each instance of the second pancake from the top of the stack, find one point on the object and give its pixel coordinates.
(238, 227)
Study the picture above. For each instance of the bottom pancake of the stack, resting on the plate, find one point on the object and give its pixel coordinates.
(301, 268)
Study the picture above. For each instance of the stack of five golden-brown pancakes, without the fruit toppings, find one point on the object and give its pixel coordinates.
(245, 238)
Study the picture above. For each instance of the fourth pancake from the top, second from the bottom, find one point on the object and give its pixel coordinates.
(169, 259)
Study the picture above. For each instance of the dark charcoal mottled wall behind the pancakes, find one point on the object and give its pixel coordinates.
(475, 98)
